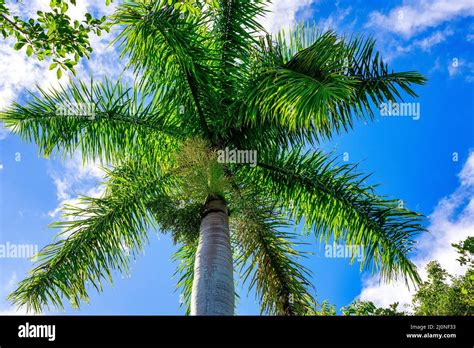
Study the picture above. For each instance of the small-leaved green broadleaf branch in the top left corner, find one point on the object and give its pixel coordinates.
(53, 33)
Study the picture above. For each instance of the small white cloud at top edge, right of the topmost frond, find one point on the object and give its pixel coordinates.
(283, 14)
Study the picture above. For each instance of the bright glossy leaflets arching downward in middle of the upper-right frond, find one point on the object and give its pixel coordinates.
(299, 101)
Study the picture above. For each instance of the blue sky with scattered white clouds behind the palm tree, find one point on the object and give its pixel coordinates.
(427, 163)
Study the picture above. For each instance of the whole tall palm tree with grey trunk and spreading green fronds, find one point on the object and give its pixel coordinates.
(206, 82)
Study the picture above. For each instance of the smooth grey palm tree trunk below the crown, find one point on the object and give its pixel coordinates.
(213, 285)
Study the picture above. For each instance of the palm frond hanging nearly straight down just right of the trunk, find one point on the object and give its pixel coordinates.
(268, 258)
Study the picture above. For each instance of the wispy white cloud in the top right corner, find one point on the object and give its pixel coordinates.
(419, 15)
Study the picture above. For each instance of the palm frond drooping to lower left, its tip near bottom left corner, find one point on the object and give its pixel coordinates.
(98, 237)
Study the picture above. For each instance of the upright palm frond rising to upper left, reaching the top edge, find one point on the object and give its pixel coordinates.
(171, 51)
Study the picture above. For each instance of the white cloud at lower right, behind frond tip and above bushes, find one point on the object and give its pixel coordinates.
(451, 222)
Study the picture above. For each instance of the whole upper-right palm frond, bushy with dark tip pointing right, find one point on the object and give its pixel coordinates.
(319, 83)
